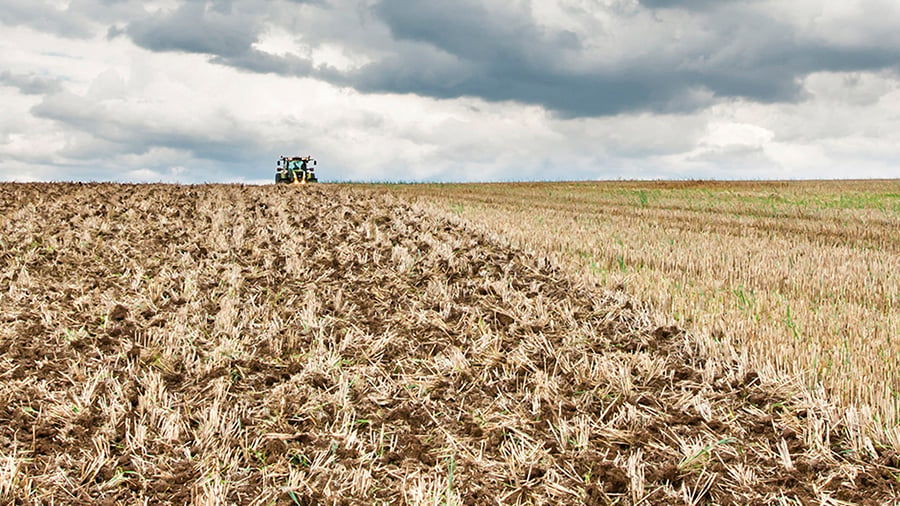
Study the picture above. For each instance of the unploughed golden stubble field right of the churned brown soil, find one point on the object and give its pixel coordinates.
(803, 276)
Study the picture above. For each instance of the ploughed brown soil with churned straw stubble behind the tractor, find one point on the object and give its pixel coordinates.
(333, 344)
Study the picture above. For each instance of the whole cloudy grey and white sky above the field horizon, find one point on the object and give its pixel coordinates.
(439, 90)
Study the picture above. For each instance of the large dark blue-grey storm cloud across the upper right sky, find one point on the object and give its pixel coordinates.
(509, 58)
